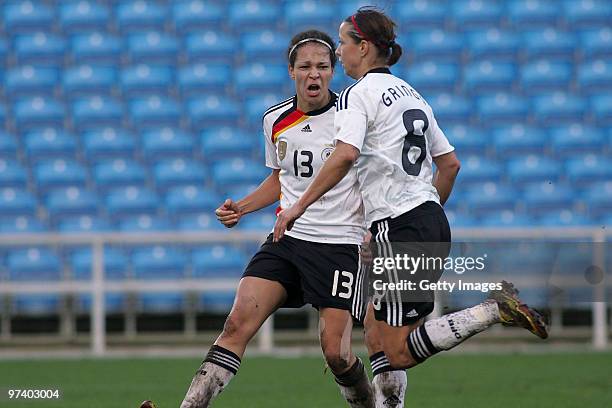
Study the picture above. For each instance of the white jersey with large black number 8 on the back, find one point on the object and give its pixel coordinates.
(396, 132)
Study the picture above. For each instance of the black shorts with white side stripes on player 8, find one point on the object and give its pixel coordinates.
(421, 232)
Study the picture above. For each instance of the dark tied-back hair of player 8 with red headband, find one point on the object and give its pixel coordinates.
(371, 24)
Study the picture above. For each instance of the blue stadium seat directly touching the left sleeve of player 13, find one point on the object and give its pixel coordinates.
(221, 143)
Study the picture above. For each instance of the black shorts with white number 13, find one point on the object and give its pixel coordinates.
(323, 275)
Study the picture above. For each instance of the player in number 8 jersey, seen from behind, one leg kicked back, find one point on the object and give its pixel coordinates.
(386, 128)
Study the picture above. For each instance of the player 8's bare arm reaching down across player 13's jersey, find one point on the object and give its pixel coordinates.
(335, 168)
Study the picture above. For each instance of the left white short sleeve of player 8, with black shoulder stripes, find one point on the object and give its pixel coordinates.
(351, 119)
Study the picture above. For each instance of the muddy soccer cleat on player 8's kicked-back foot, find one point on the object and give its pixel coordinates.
(513, 312)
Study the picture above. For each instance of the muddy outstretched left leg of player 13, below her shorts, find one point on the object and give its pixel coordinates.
(256, 299)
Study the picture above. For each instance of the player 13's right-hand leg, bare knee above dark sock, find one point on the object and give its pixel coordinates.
(335, 327)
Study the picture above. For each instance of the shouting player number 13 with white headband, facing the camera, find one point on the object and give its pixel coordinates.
(318, 261)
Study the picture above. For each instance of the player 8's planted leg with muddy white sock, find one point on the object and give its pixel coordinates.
(388, 383)
